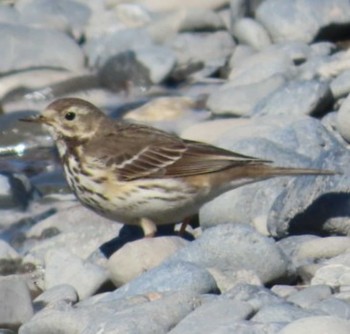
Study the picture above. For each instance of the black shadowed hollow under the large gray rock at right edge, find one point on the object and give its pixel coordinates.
(316, 218)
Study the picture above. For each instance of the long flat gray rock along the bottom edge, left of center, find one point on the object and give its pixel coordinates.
(156, 313)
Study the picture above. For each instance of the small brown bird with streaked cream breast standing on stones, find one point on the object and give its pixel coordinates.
(139, 175)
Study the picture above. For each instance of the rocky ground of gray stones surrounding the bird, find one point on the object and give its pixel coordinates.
(268, 78)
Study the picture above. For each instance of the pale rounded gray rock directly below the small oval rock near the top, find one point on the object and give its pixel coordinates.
(261, 66)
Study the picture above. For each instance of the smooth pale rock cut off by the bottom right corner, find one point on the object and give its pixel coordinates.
(316, 325)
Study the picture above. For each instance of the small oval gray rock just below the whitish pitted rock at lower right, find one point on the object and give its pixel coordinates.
(310, 295)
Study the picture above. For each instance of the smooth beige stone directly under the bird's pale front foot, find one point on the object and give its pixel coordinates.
(142, 255)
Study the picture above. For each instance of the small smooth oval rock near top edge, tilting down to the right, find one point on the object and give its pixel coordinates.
(252, 33)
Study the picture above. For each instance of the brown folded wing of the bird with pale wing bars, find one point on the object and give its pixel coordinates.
(141, 152)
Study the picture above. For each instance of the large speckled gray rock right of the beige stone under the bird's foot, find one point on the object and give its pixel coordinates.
(248, 245)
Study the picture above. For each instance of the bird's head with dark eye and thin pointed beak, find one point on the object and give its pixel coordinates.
(70, 118)
